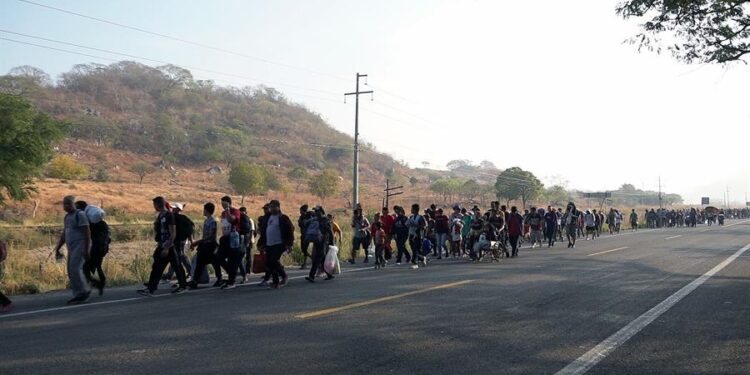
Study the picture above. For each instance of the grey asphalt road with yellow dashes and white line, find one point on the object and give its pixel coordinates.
(673, 301)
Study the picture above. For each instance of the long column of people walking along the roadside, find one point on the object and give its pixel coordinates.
(229, 238)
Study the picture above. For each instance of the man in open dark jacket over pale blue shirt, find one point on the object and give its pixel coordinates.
(276, 238)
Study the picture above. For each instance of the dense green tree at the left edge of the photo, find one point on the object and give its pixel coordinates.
(26, 143)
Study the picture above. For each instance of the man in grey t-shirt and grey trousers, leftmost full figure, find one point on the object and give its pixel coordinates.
(77, 237)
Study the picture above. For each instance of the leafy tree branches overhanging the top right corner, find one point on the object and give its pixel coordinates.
(703, 31)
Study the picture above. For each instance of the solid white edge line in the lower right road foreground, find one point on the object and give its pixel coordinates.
(606, 347)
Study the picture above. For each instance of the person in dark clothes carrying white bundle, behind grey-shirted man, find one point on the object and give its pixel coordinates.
(100, 239)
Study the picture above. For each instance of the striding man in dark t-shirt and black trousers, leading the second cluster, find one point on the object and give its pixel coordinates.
(165, 253)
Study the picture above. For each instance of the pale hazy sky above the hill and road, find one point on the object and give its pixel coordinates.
(546, 85)
